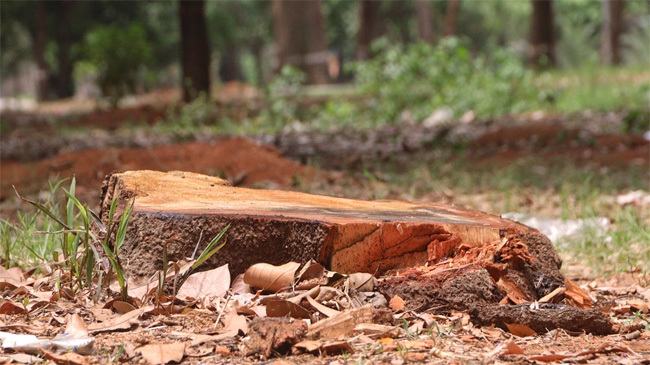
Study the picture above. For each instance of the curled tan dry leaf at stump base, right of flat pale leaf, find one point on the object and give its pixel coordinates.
(269, 277)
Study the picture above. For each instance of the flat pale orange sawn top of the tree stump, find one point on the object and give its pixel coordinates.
(188, 193)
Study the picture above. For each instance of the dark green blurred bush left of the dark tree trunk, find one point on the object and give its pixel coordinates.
(118, 54)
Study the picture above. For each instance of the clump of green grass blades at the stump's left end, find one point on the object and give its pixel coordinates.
(77, 240)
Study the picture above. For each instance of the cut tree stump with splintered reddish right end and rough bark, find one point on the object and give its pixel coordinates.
(441, 258)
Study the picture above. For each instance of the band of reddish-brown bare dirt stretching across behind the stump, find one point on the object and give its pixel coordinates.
(33, 151)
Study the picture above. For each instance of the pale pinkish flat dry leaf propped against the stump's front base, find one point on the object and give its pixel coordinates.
(201, 284)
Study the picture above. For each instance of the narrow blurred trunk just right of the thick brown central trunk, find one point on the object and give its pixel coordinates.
(371, 27)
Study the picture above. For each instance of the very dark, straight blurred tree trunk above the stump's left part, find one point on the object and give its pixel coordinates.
(195, 51)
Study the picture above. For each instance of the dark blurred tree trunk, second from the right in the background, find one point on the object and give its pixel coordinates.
(542, 34)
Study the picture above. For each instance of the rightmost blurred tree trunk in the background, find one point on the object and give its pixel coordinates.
(612, 28)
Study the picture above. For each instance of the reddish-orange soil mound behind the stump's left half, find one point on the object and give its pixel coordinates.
(241, 161)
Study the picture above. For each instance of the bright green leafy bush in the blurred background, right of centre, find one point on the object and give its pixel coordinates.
(422, 78)
